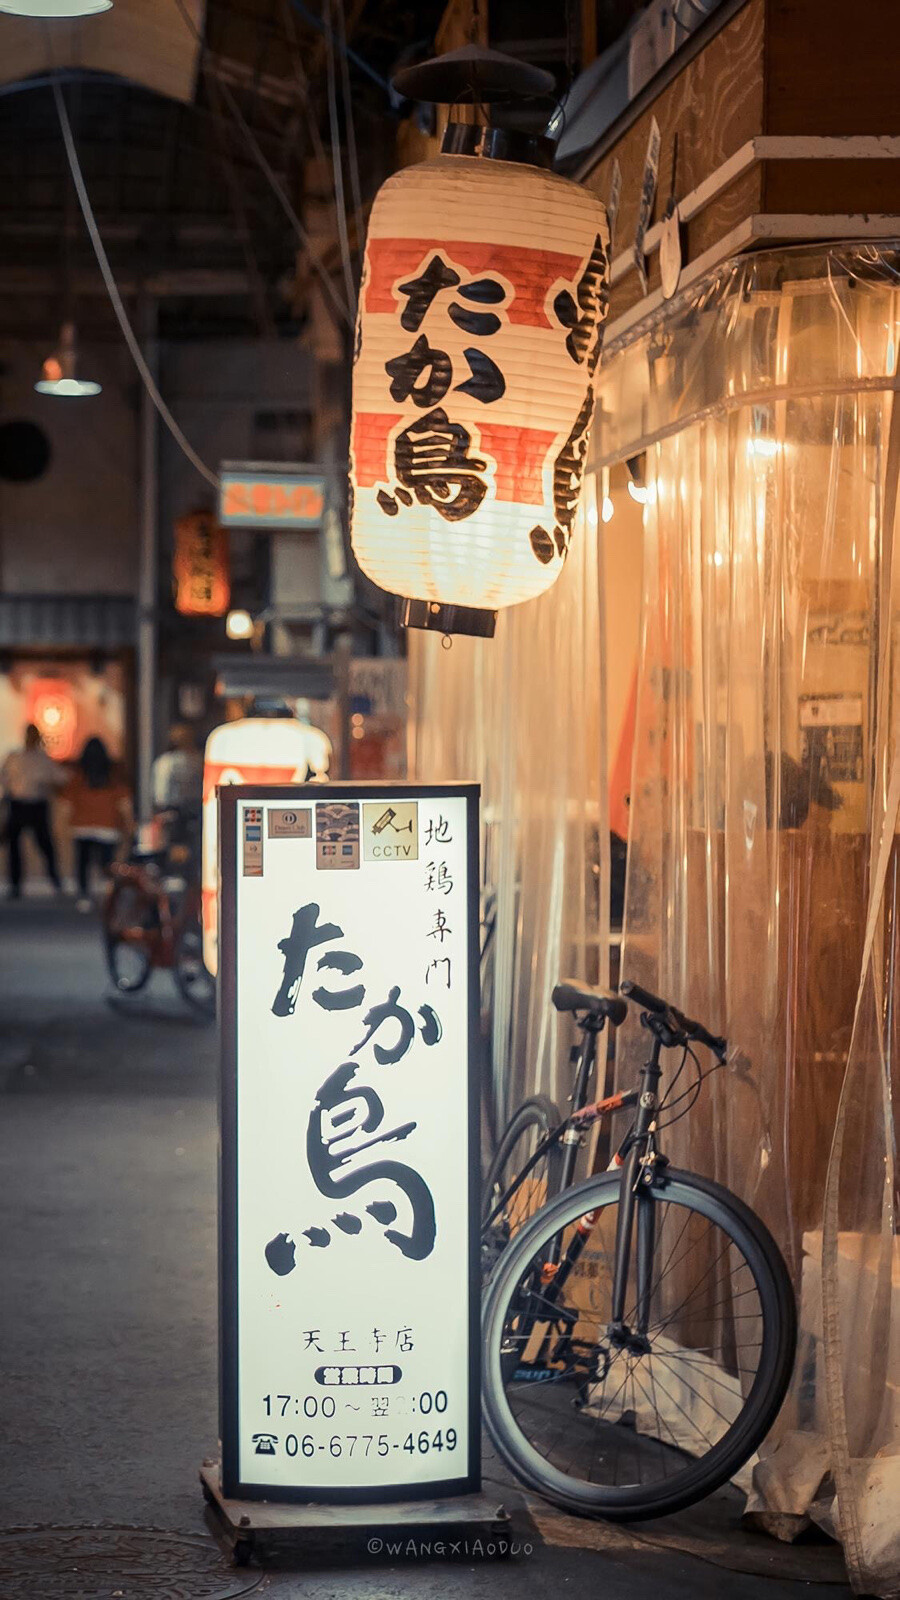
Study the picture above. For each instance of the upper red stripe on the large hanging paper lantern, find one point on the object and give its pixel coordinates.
(534, 273)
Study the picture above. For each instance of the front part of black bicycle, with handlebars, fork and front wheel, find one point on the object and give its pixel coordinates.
(640, 1330)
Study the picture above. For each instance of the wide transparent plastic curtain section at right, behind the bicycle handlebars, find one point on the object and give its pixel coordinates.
(763, 878)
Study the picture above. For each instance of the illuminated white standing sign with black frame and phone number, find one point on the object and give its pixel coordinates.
(350, 1290)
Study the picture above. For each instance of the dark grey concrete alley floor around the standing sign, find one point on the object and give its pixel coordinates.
(108, 1183)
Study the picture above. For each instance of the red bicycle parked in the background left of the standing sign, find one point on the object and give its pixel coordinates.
(153, 919)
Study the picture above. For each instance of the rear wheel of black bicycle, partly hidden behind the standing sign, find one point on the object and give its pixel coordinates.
(520, 1142)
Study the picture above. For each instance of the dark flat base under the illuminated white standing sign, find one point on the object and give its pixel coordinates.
(247, 1526)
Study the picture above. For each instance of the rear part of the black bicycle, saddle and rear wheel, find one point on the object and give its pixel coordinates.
(539, 1148)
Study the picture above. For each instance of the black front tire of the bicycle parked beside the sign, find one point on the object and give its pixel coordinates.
(761, 1407)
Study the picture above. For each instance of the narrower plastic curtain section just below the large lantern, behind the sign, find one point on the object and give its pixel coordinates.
(524, 716)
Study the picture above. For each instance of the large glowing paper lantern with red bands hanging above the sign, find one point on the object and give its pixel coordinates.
(481, 306)
